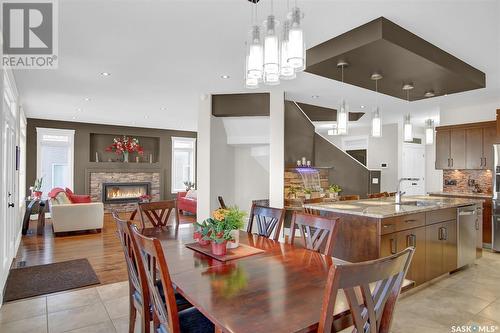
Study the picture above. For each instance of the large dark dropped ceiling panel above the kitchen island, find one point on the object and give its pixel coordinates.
(400, 56)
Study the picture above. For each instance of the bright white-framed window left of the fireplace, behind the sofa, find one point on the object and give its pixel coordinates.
(55, 158)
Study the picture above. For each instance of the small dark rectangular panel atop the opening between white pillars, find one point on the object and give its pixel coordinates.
(240, 105)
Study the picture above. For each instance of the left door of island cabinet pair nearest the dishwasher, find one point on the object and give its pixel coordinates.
(433, 251)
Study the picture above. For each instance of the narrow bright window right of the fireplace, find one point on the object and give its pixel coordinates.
(183, 162)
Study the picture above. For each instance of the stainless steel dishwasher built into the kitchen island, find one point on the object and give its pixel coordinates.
(467, 217)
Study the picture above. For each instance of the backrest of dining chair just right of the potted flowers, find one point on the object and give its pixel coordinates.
(268, 219)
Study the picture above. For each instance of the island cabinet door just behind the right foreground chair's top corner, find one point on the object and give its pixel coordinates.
(416, 238)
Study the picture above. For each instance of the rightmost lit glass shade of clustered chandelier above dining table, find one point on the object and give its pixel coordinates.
(296, 51)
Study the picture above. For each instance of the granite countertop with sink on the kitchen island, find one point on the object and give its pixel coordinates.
(385, 207)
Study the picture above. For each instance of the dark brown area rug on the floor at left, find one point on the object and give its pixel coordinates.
(45, 279)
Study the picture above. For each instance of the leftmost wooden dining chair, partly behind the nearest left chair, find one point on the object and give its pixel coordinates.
(138, 286)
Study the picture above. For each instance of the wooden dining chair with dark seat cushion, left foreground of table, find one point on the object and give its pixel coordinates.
(166, 315)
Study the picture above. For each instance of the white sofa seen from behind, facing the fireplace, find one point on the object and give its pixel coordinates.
(76, 217)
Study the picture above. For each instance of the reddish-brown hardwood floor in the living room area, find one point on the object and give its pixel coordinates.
(103, 250)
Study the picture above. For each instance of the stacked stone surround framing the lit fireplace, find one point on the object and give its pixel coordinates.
(95, 179)
